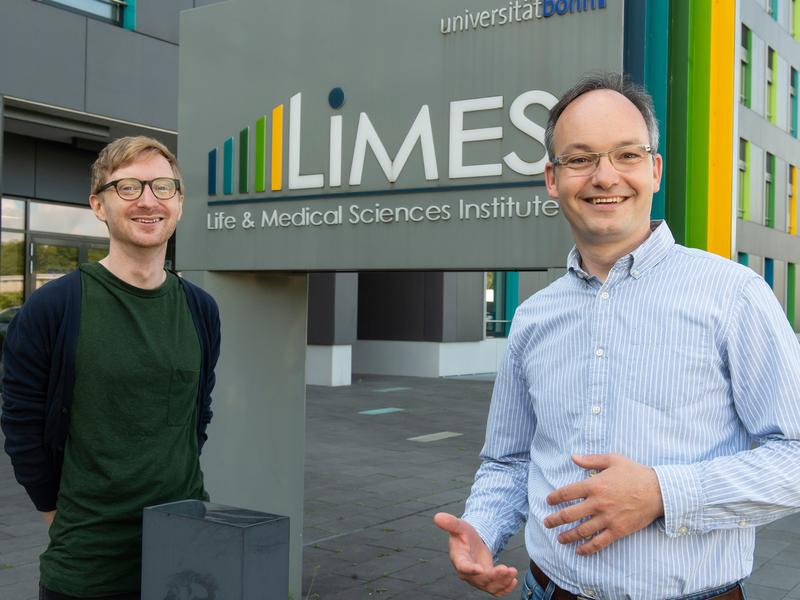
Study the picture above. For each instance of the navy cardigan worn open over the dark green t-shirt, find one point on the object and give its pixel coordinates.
(39, 359)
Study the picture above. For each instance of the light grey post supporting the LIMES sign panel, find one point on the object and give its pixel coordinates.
(256, 441)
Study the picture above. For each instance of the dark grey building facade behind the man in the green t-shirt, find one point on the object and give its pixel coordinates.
(75, 75)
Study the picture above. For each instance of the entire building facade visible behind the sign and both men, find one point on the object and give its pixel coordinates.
(723, 75)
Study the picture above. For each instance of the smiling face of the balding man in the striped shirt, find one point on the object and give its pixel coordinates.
(605, 207)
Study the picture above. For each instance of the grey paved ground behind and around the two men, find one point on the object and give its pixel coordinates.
(371, 493)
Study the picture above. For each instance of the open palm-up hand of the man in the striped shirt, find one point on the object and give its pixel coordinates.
(473, 560)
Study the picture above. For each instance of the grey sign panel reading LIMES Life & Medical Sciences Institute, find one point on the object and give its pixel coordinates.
(378, 135)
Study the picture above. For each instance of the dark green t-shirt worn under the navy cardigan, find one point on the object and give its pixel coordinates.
(132, 438)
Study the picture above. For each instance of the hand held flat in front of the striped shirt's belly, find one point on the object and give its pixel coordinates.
(621, 498)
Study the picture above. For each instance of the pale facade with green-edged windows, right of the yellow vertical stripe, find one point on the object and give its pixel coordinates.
(767, 144)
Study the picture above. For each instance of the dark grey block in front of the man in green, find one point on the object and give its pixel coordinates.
(193, 550)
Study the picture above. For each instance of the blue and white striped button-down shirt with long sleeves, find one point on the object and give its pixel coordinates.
(680, 360)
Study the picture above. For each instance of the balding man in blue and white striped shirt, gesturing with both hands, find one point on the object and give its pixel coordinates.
(647, 415)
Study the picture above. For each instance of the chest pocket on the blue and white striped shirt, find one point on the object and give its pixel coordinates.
(667, 369)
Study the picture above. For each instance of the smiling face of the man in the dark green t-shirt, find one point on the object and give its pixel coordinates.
(146, 223)
